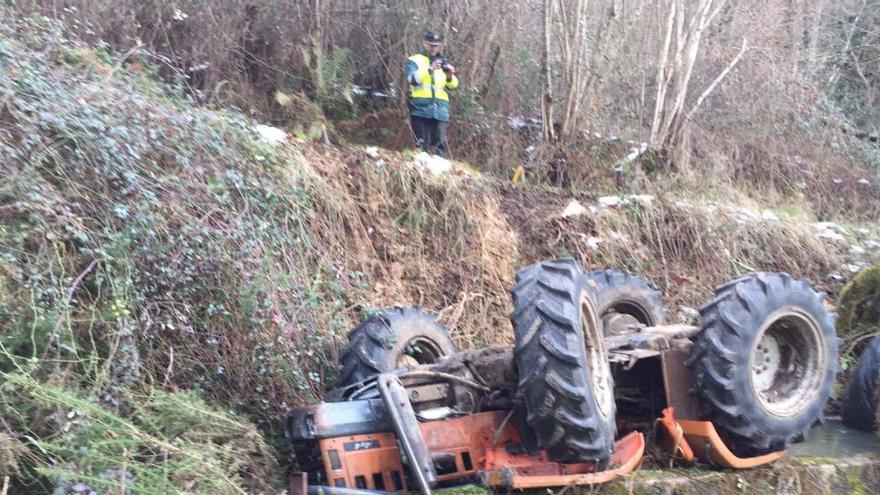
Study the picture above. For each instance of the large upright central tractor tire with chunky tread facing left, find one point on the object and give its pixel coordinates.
(564, 377)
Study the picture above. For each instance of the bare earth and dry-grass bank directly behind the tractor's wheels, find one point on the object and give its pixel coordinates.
(453, 242)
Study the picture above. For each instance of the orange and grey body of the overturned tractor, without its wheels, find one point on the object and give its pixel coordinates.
(404, 423)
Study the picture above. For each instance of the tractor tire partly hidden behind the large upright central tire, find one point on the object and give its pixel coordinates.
(624, 299)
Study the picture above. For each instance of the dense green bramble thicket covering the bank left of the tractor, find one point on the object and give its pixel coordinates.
(146, 243)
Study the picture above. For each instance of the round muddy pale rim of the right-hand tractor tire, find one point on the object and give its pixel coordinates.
(788, 362)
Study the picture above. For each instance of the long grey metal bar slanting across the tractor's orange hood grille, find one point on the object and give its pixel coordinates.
(409, 435)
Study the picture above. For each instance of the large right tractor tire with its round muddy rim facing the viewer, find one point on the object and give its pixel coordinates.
(764, 361)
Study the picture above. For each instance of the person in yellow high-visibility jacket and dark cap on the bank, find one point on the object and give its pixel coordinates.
(430, 75)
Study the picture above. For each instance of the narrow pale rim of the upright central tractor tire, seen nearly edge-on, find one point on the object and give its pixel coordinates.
(597, 359)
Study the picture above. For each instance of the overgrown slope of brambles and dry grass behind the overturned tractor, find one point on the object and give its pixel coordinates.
(146, 244)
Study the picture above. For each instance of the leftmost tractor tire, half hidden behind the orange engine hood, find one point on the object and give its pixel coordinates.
(390, 339)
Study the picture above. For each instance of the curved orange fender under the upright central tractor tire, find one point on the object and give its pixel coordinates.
(523, 472)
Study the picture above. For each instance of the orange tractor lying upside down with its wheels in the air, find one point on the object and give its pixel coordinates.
(593, 369)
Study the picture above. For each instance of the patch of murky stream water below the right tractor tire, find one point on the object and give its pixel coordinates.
(833, 439)
